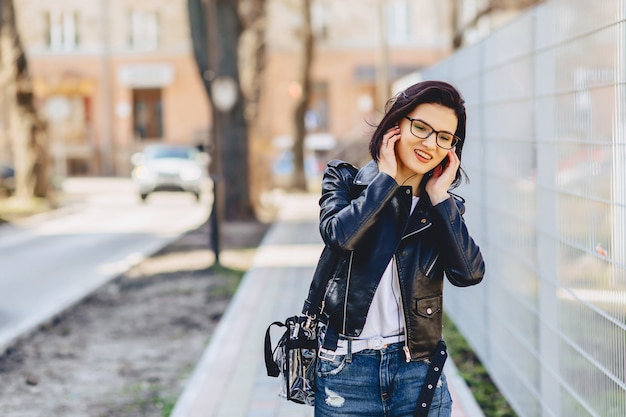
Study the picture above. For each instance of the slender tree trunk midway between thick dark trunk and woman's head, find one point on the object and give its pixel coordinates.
(299, 179)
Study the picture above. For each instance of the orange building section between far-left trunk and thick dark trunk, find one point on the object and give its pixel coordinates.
(111, 76)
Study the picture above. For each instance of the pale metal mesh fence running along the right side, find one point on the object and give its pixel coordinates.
(546, 155)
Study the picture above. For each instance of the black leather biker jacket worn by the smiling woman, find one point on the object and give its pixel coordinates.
(365, 217)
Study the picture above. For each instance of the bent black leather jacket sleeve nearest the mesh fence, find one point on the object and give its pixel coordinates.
(464, 265)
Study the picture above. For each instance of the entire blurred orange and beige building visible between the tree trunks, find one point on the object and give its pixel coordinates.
(114, 75)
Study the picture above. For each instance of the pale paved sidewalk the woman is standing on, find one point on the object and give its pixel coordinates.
(230, 380)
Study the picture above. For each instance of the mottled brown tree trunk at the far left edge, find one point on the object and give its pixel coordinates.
(27, 130)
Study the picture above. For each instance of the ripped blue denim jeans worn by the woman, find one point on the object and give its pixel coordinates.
(376, 383)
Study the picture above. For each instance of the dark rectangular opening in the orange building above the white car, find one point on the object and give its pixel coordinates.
(147, 113)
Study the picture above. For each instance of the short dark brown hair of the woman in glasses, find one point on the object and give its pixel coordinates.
(403, 103)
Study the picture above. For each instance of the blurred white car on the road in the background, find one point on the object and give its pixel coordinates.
(169, 168)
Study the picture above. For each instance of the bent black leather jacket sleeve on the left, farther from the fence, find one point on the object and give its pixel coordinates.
(343, 219)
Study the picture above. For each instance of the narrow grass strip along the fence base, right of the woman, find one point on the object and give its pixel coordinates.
(487, 395)
